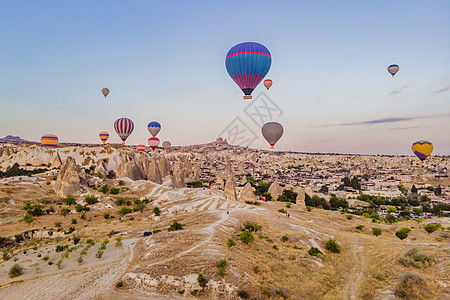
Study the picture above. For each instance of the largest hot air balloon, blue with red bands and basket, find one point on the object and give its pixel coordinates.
(247, 64)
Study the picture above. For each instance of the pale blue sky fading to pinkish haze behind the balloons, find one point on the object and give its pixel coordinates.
(164, 61)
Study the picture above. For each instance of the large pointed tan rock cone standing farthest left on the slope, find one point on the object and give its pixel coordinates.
(70, 178)
